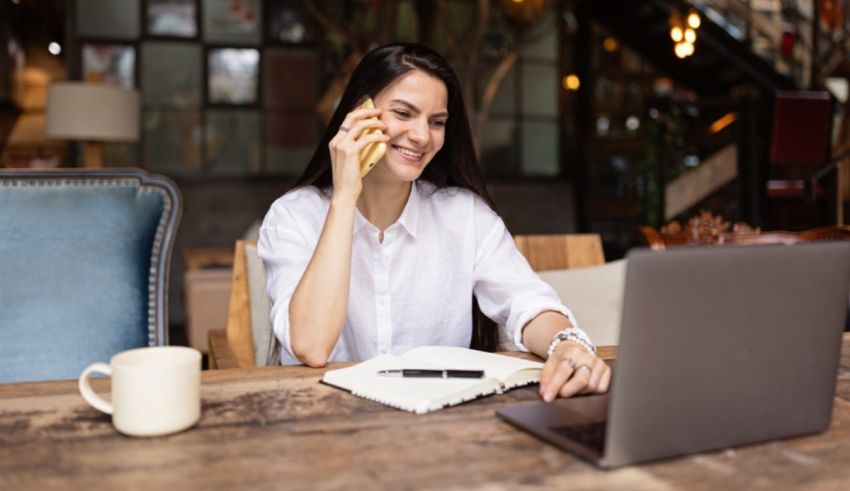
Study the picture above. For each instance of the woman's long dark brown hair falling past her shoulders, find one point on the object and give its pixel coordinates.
(454, 165)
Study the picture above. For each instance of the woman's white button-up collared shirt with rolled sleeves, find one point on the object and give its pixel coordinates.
(415, 288)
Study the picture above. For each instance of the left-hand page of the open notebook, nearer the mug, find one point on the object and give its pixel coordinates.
(418, 395)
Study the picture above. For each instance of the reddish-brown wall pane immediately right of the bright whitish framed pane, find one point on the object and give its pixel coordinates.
(290, 79)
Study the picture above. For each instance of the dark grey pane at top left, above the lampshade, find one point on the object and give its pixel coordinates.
(108, 19)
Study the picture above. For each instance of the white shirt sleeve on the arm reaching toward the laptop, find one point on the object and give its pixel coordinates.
(507, 289)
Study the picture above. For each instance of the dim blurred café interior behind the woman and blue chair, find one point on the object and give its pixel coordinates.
(589, 116)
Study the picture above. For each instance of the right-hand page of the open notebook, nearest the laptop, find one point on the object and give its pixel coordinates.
(495, 366)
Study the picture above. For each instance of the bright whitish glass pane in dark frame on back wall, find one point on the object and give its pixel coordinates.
(233, 75)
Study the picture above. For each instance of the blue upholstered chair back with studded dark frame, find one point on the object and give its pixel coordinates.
(84, 264)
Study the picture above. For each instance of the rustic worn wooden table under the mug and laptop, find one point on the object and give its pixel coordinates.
(277, 428)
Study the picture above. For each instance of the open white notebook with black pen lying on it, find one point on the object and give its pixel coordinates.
(421, 395)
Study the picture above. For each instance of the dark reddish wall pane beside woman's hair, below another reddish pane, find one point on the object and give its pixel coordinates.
(291, 140)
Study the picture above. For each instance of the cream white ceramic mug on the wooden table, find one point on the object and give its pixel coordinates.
(155, 391)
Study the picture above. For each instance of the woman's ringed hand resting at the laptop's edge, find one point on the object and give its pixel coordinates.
(572, 370)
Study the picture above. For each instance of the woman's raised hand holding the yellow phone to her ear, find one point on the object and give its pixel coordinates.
(345, 148)
